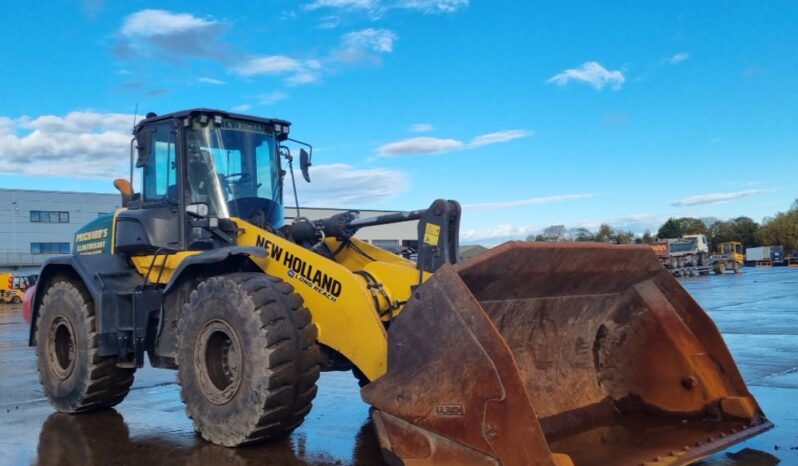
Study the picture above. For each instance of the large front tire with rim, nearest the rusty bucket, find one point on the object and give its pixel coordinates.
(248, 359)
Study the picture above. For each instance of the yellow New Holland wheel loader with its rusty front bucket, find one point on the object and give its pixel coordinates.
(527, 354)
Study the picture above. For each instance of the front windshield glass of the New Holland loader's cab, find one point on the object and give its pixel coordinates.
(229, 162)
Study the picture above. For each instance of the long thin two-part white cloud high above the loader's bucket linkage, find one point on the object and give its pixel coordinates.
(430, 145)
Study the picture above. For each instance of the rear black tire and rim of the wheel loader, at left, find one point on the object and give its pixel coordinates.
(73, 375)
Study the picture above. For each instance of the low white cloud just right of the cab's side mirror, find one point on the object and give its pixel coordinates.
(341, 185)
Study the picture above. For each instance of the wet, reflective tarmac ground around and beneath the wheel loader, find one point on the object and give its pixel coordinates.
(756, 311)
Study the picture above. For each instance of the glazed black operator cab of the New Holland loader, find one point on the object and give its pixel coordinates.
(194, 170)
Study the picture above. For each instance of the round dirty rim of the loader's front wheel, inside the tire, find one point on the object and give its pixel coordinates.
(218, 362)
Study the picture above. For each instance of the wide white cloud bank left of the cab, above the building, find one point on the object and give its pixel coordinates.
(82, 144)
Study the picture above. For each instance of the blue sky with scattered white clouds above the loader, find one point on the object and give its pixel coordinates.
(528, 113)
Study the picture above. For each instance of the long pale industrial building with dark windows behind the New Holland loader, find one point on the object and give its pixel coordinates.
(37, 224)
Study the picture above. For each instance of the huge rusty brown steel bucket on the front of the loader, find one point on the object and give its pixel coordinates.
(552, 354)
